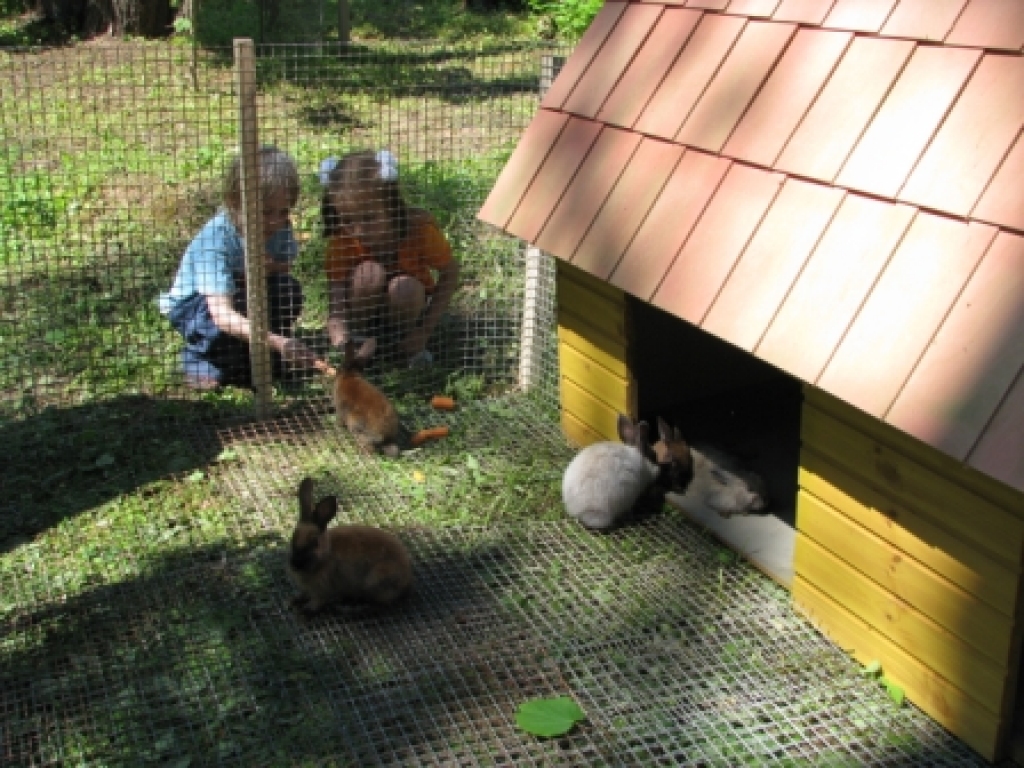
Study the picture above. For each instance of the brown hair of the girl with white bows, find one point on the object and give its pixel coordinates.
(357, 183)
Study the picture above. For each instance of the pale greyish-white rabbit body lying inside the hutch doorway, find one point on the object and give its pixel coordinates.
(721, 485)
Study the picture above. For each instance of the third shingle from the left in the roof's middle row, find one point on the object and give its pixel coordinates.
(649, 68)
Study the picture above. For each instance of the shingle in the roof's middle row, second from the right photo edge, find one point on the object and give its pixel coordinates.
(973, 141)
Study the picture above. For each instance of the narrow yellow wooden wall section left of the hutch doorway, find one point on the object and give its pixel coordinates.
(595, 383)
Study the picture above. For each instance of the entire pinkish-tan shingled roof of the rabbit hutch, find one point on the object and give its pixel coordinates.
(834, 186)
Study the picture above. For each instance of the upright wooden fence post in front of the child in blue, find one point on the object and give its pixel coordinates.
(252, 223)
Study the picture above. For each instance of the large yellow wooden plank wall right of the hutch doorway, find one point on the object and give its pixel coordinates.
(907, 558)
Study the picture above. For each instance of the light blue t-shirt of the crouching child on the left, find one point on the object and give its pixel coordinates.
(216, 262)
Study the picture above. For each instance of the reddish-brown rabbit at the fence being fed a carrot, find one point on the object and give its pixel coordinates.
(369, 415)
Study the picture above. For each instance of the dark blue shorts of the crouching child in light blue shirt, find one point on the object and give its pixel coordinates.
(212, 356)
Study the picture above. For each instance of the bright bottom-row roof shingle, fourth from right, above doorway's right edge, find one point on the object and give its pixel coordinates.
(838, 277)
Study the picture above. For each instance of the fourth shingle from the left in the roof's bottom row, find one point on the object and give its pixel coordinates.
(627, 206)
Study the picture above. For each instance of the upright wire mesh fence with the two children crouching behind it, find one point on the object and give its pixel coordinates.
(115, 157)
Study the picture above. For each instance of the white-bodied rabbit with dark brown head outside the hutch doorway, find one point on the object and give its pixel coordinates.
(606, 481)
